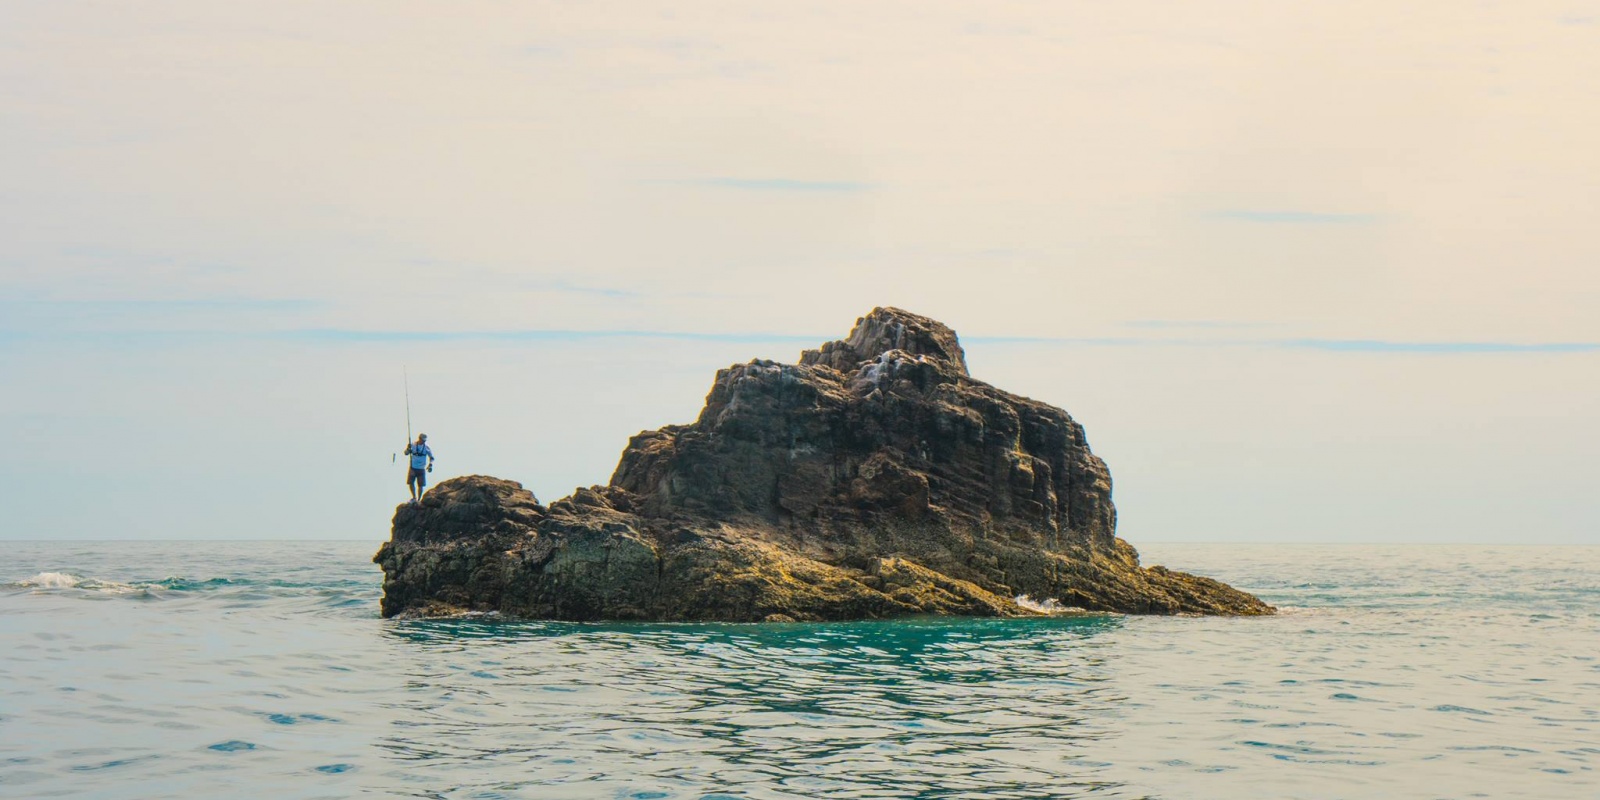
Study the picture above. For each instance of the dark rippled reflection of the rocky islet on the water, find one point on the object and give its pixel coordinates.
(935, 708)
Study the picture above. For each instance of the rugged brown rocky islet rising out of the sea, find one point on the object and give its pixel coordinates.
(873, 479)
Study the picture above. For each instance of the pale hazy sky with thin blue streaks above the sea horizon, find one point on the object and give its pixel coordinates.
(1319, 271)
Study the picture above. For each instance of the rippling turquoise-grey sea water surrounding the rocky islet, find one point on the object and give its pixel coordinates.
(262, 670)
